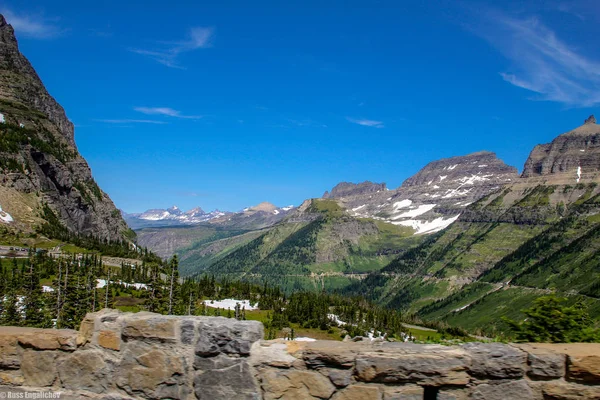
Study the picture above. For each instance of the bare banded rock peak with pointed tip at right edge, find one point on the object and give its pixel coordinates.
(575, 155)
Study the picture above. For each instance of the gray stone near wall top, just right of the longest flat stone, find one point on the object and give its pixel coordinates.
(496, 361)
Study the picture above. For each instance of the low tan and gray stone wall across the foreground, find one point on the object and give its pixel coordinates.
(122, 356)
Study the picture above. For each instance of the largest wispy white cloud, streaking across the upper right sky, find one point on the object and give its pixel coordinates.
(541, 62)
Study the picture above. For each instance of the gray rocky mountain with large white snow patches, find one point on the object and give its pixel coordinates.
(434, 197)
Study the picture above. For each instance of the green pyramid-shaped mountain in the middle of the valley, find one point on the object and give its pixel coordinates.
(333, 246)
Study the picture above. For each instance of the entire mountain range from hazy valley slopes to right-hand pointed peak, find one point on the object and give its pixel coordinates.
(465, 241)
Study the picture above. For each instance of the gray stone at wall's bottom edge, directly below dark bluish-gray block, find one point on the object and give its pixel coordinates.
(234, 382)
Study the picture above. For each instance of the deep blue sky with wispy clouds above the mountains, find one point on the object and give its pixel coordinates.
(229, 104)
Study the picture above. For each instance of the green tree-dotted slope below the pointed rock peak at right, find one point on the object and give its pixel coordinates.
(514, 248)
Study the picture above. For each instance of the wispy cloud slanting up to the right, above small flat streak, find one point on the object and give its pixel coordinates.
(167, 53)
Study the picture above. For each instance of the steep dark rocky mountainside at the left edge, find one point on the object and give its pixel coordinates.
(39, 163)
